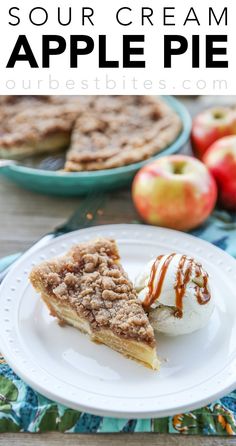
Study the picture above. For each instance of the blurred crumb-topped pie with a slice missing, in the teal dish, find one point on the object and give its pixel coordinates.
(97, 132)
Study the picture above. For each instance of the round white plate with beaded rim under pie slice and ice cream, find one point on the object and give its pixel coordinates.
(66, 366)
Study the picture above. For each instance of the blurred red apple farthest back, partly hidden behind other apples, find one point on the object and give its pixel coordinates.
(211, 125)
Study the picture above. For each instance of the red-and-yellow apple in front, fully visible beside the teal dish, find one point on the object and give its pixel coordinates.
(174, 191)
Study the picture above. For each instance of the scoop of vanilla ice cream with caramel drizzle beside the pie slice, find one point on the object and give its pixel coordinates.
(175, 290)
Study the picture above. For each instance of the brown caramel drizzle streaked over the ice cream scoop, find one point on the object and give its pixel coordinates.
(183, 277)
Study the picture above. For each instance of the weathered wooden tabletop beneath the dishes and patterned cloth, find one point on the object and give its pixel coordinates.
(24, 218)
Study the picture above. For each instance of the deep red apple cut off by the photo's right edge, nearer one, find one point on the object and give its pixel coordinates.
(220, 158)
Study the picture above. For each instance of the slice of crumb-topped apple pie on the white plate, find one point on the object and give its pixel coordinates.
(89, 289)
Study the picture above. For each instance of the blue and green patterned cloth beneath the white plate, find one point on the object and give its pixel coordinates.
(23, 409)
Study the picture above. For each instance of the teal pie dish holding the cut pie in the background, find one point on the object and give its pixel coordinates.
(80, 183)
